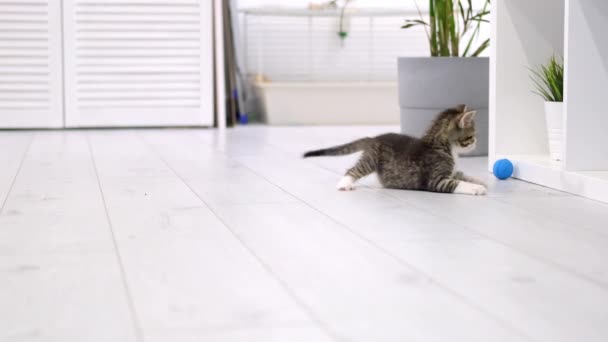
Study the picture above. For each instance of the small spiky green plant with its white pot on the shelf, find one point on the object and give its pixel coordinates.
(548, 81)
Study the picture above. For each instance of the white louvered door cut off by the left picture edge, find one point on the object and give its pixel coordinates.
(30, 64)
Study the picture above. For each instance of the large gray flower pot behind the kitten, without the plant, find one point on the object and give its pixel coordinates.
(428, 85)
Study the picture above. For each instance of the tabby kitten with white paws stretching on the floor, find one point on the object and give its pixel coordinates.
(404, 162)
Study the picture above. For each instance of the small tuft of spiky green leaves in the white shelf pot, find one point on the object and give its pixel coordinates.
(549, 80)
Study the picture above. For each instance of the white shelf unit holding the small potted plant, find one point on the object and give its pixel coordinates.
(525, 34)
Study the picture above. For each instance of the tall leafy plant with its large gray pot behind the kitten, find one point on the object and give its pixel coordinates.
(452, 74)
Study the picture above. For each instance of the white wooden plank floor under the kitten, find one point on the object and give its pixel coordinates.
(190, 235)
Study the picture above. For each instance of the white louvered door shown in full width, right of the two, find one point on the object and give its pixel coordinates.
(138, 62)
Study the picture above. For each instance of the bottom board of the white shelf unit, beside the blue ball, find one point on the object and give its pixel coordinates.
(541, 170)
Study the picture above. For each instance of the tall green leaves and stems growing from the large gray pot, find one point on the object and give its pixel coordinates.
(450, 22)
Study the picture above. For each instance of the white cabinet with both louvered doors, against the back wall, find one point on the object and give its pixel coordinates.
(106, 63)
